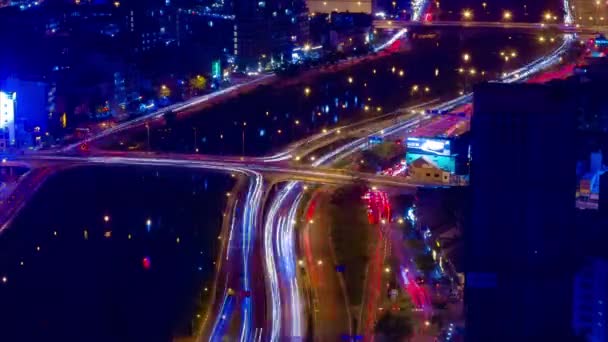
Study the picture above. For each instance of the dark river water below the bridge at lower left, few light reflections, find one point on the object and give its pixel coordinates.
(111, 254)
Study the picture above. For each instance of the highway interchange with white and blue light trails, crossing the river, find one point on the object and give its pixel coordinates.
(257, 280)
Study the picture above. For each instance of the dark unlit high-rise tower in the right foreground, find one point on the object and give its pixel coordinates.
(519, 260)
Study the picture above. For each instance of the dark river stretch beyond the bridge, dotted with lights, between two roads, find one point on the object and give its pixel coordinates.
(270, 117)
